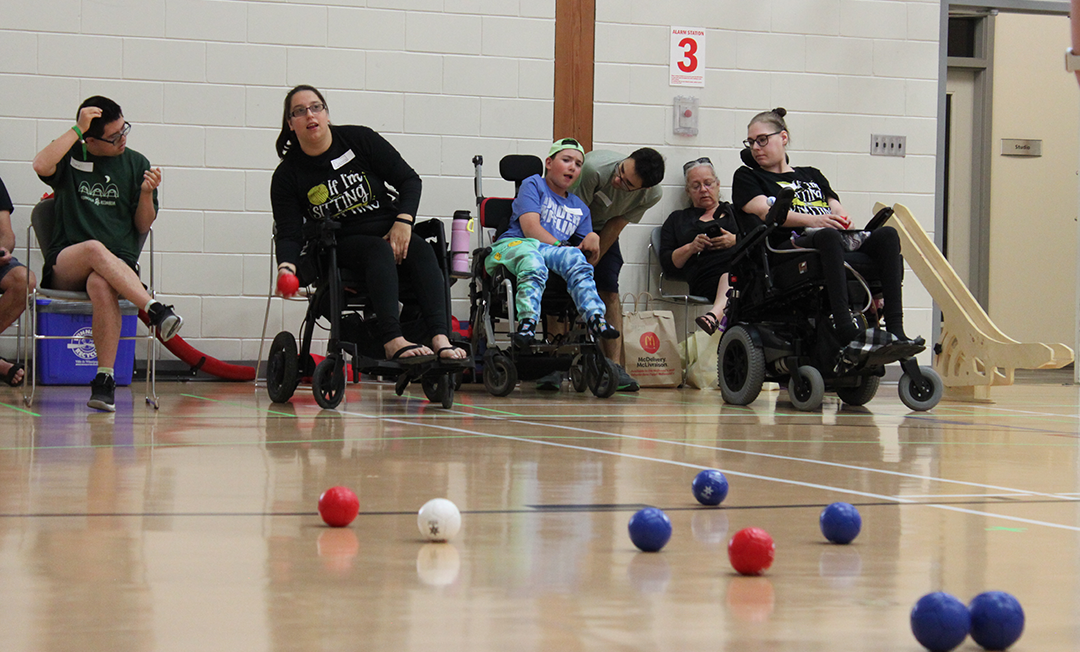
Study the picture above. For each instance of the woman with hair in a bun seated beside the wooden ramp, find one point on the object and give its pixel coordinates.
(816, 222)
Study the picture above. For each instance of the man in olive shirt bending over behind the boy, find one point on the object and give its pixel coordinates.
(619, 191)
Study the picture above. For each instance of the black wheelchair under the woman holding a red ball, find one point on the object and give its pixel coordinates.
(340, 297)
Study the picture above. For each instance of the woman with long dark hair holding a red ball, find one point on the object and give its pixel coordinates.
(341, 173)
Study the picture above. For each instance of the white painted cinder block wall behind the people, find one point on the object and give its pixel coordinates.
(204, 80)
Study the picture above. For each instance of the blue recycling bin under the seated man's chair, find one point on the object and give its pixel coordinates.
(73, 361)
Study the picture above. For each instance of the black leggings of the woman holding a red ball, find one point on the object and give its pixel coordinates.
(372, 256)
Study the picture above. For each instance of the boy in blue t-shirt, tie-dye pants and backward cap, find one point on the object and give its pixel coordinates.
(546, 218)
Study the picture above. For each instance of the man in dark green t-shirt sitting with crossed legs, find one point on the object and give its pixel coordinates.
(106, 199)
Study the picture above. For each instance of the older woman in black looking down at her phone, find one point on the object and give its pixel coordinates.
(699, 241)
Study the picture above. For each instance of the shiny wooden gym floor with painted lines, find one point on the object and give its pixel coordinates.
(195, 527)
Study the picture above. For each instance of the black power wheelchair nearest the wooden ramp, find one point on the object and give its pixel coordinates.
(780, 328)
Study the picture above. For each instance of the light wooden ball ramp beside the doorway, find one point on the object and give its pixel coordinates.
(975, 355)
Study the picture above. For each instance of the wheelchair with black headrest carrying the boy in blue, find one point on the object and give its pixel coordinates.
(492, 302)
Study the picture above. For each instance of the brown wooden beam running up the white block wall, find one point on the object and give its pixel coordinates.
(575, 40)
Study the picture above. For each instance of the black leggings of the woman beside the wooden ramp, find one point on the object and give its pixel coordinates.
(883, 247)
